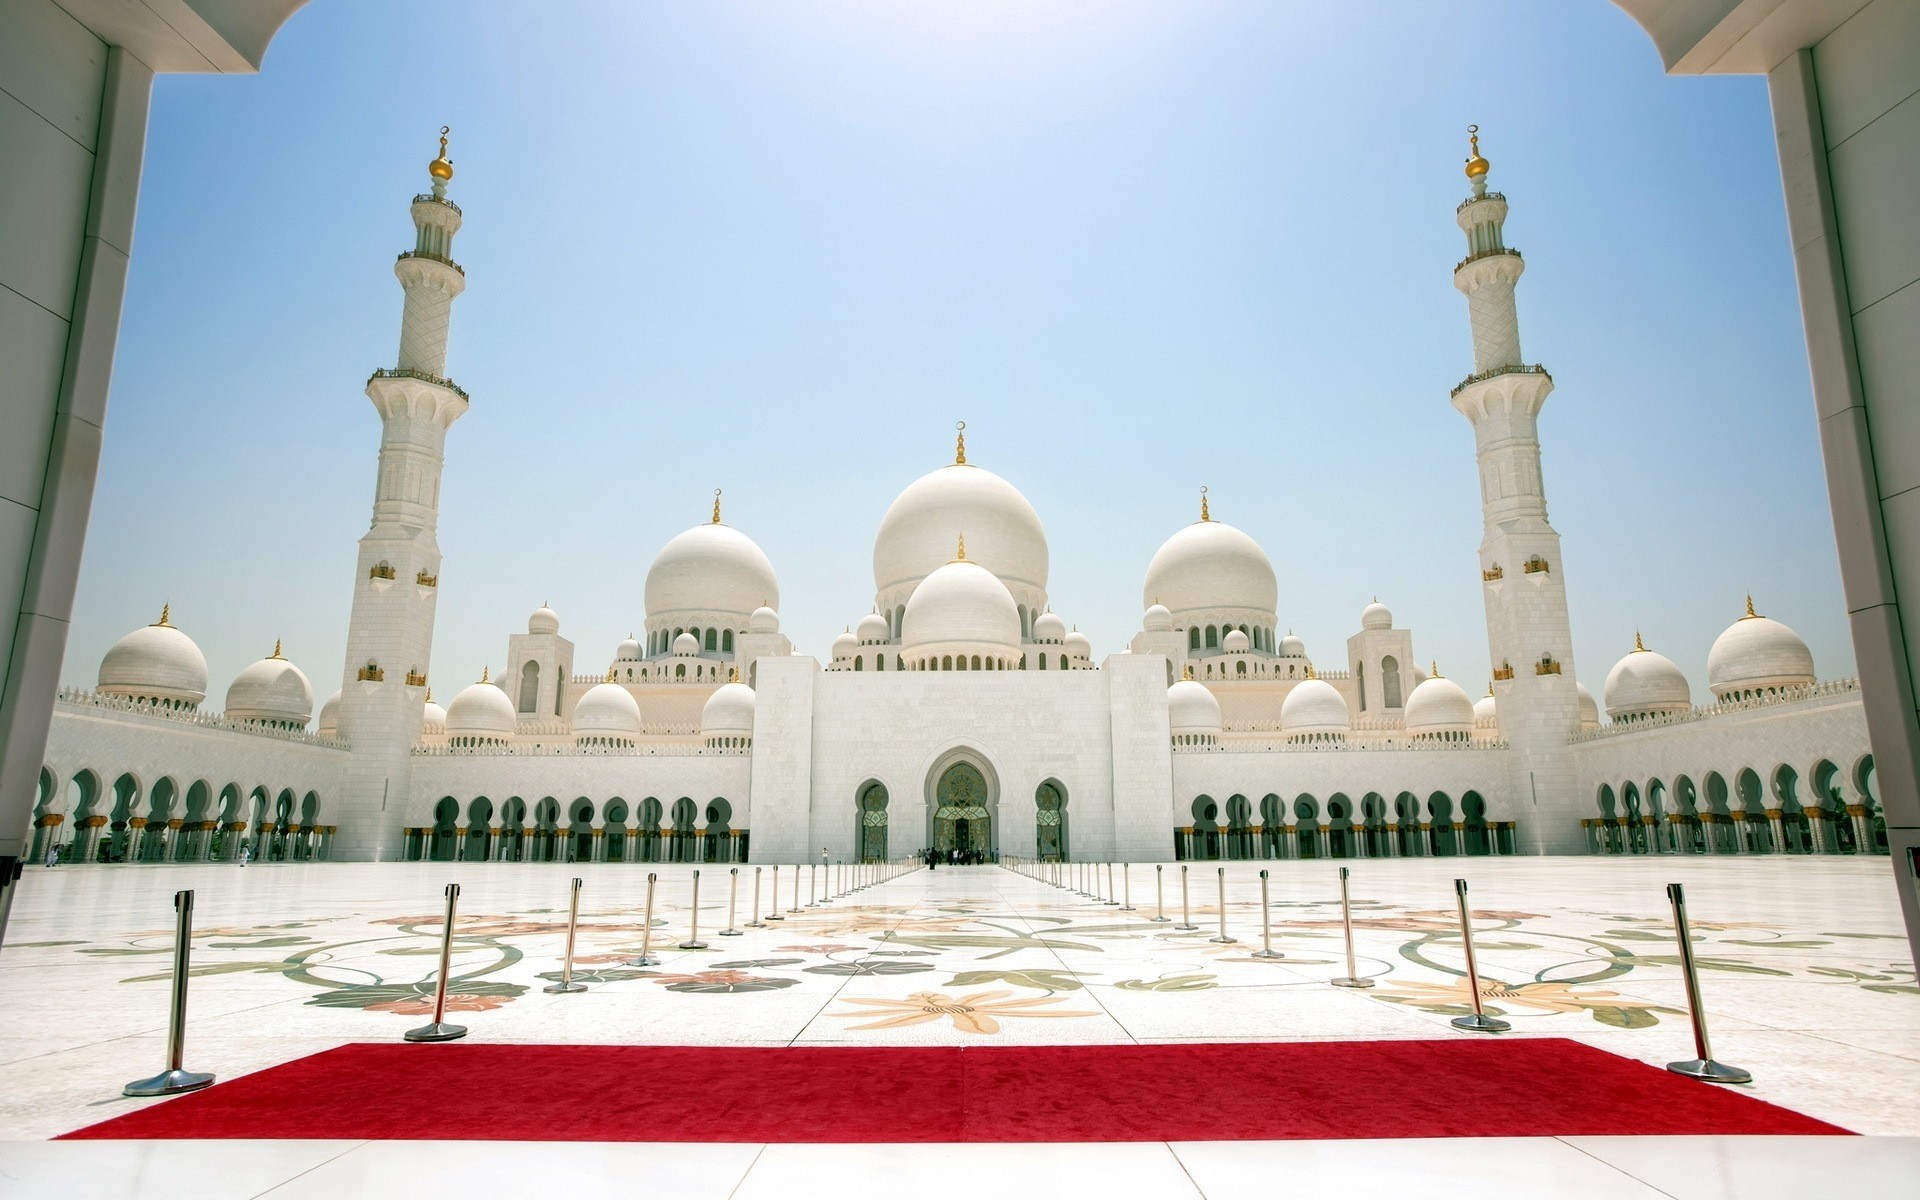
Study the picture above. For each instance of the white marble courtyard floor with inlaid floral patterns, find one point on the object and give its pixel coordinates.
(1808, 980)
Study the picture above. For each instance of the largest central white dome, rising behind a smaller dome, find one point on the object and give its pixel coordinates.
(921, 529)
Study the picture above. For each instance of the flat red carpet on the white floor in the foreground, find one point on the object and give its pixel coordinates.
(471, 1092)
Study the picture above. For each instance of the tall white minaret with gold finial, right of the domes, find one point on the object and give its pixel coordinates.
(1525, 588)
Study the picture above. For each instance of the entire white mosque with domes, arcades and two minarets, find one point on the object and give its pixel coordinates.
(961, 713)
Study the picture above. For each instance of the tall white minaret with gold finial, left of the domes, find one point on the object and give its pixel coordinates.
(383, 694)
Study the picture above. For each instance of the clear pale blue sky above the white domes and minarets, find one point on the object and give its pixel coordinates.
(780, 249)
